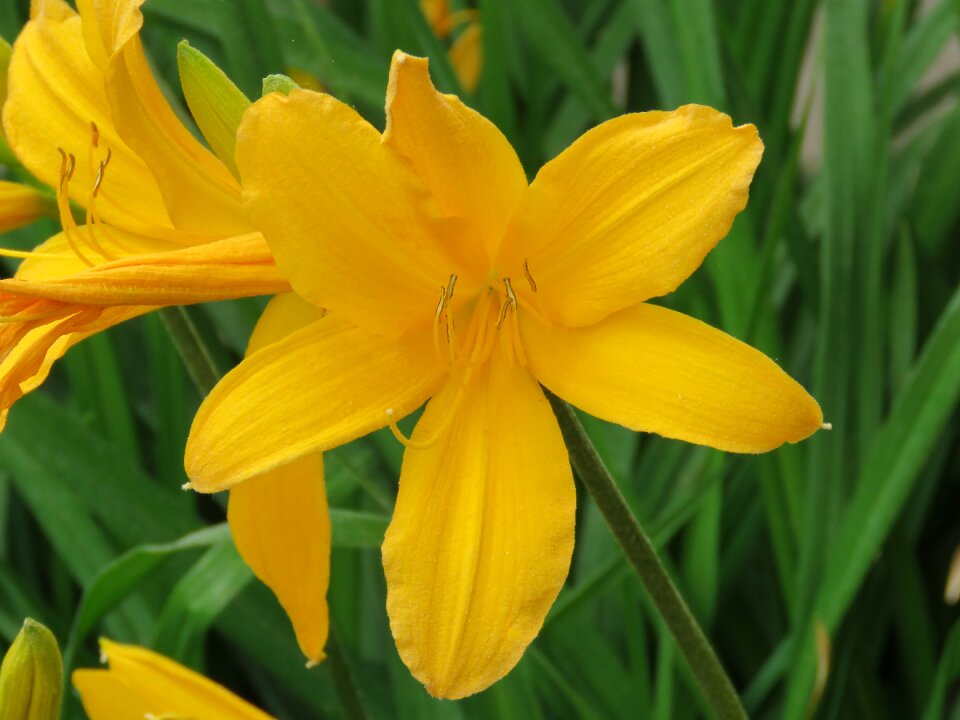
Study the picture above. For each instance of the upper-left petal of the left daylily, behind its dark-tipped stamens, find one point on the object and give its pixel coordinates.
(56, 99)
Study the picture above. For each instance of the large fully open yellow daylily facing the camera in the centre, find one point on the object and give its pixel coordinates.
(545, 282)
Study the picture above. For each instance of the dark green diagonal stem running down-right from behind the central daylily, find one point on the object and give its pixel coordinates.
(700, 656)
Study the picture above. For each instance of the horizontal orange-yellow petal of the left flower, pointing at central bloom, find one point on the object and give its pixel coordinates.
(225, 269)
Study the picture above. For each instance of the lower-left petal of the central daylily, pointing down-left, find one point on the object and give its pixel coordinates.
(322, 386)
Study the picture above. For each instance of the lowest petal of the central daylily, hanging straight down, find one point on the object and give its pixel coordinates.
(482, 533)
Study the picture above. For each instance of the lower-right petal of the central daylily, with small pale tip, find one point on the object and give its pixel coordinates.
(660, 371)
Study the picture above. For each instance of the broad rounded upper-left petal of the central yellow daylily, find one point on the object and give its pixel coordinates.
(347, 221)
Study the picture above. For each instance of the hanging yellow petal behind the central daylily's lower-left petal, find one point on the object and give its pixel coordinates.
(279, 520)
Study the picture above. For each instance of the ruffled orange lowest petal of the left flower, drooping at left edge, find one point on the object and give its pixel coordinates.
(29, 347)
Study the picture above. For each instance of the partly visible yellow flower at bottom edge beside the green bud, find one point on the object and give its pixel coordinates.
(143, 684)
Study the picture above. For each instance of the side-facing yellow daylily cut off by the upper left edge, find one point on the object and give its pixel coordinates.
(164, 223)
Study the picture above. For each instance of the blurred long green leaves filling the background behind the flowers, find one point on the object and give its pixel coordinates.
(844, 267)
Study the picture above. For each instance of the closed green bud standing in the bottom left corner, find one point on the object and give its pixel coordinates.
(31, 678)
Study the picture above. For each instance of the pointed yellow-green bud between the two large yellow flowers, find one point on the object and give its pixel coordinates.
(214, 101)
